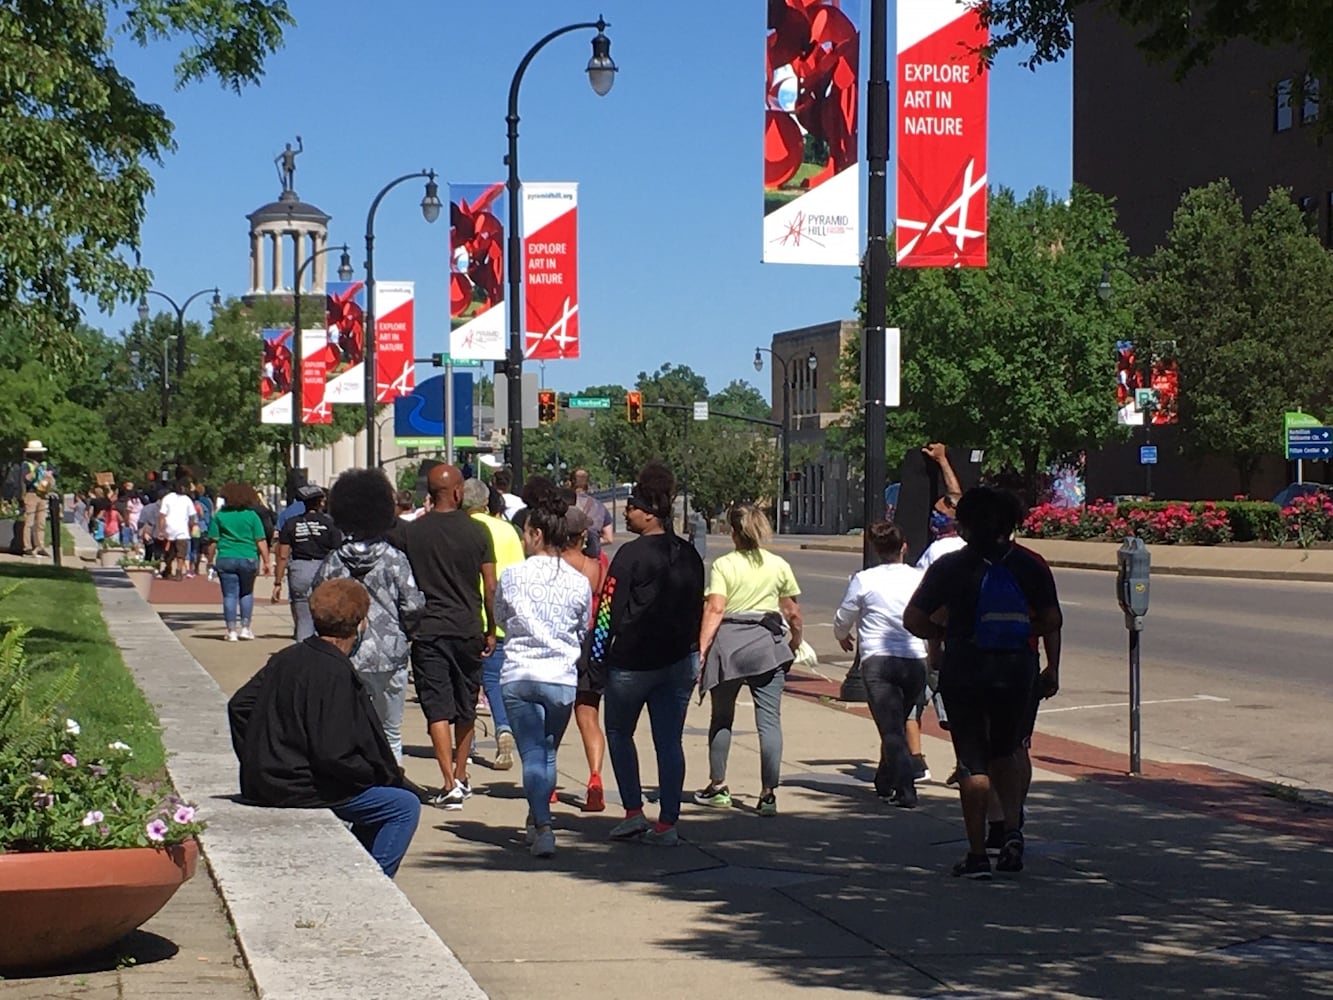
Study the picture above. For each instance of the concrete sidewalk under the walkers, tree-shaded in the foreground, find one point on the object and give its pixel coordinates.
(1127, 893)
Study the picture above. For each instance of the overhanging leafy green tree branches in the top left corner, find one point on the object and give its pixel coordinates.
(79, 141)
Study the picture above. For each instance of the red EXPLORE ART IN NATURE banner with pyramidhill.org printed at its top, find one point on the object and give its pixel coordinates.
(551, 283)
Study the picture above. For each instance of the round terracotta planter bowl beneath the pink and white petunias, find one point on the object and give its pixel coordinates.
(59, 906)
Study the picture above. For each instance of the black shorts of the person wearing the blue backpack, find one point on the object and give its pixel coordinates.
(991, 707)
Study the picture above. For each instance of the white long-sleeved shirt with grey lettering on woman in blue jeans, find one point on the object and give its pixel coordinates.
(543, 605)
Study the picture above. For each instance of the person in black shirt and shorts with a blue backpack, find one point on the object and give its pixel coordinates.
(987, 693)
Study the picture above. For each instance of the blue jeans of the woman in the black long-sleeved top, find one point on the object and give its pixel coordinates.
(666, 691)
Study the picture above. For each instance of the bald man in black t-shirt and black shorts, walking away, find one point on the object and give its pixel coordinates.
(450, 553)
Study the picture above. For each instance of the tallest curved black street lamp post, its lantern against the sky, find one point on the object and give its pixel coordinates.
(602, 75)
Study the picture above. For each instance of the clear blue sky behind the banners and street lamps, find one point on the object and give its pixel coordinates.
(670, 165)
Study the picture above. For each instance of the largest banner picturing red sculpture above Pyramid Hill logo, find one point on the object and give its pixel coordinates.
(811, 98)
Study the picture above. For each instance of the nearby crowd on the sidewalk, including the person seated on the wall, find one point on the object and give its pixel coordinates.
(486, 599)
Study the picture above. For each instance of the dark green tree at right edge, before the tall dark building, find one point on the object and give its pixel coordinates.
(1250, 306)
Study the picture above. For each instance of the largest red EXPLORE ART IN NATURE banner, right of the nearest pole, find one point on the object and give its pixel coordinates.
(942, 135)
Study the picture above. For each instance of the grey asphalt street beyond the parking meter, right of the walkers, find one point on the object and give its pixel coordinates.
(1236, 673)
